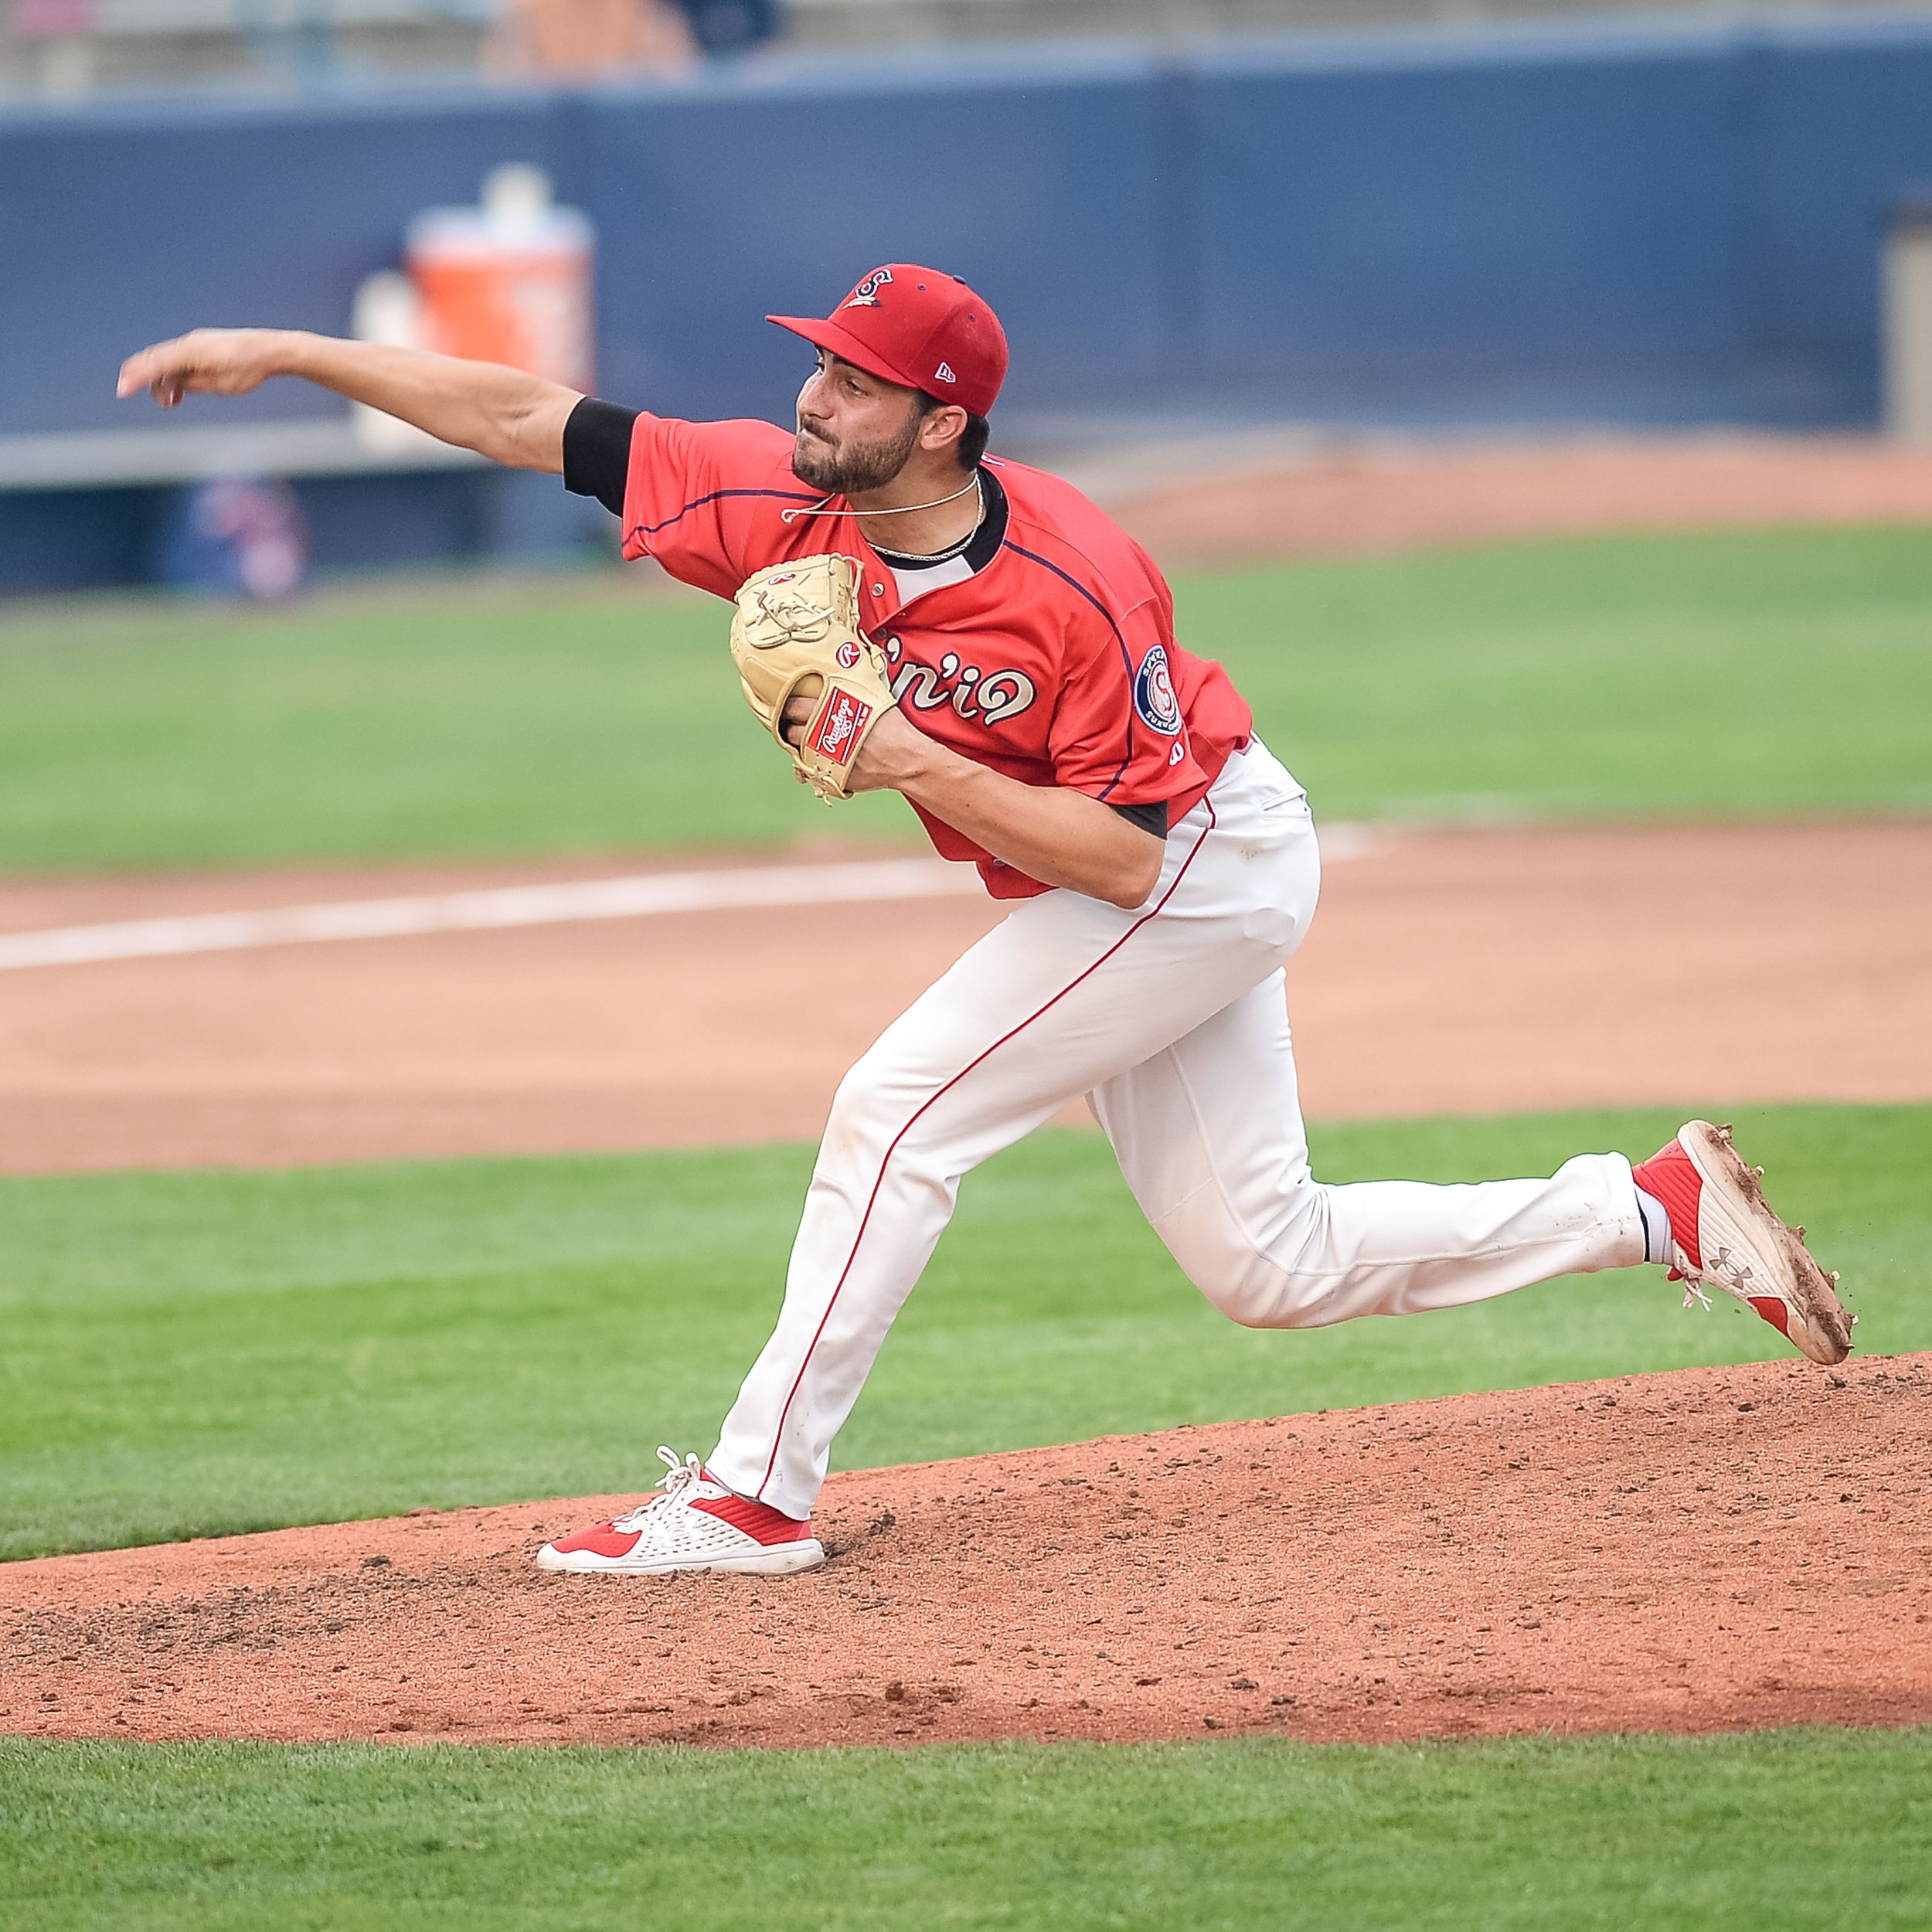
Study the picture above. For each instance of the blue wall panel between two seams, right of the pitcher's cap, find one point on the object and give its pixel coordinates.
(1537, 198)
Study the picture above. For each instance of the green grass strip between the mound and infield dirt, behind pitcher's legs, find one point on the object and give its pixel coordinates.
(206, 1353)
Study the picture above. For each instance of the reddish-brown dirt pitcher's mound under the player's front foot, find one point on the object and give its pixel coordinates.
(1686, 1552)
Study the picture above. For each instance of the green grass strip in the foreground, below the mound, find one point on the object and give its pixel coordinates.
(1730, 1834)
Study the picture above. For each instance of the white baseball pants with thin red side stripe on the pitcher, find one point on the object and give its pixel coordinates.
(1172, 1019)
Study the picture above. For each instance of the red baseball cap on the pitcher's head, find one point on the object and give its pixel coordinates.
(915, 327)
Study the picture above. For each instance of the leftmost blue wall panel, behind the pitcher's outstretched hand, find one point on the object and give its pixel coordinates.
(119, 229)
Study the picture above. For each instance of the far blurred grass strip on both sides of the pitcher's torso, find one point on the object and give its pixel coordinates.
(1736, 673)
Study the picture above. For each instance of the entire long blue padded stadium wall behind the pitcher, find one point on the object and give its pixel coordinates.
(1558, 225)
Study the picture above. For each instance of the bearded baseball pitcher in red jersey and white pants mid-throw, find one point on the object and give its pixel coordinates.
(913, 613)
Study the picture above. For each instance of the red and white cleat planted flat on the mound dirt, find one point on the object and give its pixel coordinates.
(691, 1523)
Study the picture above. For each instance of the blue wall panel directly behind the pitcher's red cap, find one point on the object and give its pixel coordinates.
(1035, 183)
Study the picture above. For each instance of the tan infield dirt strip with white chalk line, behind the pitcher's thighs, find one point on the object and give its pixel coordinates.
(1446, 973)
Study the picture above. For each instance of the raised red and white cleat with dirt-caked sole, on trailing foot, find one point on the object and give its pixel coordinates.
(1724, 1236)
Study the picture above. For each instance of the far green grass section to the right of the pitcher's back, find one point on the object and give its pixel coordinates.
(1622, 677)
